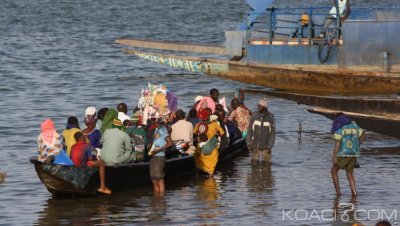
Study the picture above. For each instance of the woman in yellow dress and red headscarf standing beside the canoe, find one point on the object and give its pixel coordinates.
(206, 154)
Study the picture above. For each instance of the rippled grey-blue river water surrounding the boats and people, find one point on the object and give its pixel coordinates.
(58, 57)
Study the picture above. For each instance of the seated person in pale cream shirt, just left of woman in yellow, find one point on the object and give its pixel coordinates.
(183, 130)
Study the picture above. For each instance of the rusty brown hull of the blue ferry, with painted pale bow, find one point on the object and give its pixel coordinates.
(326, 79)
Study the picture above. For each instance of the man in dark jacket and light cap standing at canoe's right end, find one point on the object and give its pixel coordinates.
(261, 133)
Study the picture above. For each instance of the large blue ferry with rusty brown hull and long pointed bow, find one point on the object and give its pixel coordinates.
(282, 48)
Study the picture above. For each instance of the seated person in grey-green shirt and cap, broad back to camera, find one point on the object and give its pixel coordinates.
(117, 147)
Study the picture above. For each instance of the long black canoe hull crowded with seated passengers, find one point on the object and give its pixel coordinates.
(61, 180)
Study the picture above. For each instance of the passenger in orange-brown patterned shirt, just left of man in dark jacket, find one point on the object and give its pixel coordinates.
(240, 116)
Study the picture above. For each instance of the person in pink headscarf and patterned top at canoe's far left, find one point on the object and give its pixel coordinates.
(50, 143)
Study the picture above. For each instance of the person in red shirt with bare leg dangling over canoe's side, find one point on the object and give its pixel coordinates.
(81, 155)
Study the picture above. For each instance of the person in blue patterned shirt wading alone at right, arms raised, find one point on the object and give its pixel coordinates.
(348, 136)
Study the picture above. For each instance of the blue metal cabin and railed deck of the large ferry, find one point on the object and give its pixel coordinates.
(365, 41)
